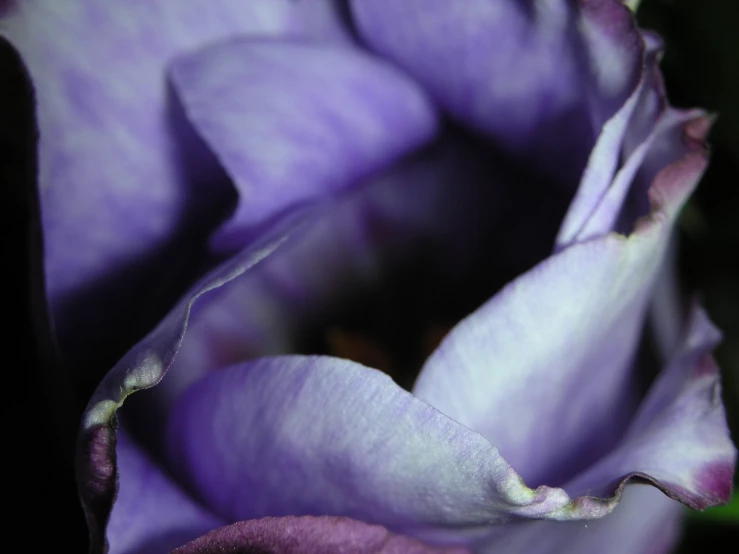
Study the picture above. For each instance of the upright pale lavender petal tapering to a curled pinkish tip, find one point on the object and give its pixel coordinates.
(543, 369)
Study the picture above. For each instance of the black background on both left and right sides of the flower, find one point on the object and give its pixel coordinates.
(40, 414)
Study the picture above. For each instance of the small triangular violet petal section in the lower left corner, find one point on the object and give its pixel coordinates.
(151, 514)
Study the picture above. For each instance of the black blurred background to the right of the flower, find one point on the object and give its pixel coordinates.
(701, 68)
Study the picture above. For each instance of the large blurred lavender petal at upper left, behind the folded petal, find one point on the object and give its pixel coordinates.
(122, 176)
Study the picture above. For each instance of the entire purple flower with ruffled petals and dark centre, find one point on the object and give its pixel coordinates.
(465, 144)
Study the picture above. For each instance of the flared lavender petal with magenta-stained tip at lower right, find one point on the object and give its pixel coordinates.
(679, 439)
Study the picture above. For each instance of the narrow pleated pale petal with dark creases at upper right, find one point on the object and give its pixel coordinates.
(644, 136)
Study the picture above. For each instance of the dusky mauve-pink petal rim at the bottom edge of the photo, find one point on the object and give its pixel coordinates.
(308, 535)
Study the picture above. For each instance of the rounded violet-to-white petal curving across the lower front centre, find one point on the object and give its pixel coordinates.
(326, 436)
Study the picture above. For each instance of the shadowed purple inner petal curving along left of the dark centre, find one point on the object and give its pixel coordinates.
(430, 214)
